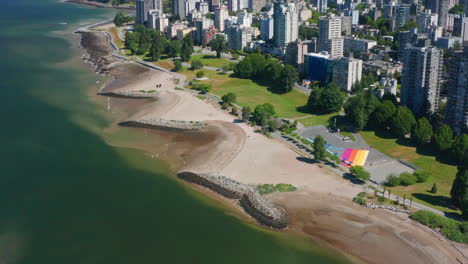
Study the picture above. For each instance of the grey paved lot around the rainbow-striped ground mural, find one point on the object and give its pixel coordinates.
(378, 164)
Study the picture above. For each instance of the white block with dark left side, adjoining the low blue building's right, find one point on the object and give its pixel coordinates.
(347, 72)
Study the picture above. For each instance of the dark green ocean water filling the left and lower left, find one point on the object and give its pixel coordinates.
(68, 197)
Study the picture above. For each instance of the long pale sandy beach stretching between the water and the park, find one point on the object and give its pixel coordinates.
(322, 206)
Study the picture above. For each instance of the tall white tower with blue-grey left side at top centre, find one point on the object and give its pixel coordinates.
(285, 23)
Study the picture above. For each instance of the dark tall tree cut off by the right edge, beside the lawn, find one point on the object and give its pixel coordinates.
(459, 191)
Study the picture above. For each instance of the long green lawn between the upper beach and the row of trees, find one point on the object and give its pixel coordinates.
(252, 94)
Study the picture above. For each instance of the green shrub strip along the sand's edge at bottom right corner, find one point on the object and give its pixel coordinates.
(452, 229)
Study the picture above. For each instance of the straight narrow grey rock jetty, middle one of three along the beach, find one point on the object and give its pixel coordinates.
(159, 123)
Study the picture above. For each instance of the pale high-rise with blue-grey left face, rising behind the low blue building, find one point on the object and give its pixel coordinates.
(330, 39)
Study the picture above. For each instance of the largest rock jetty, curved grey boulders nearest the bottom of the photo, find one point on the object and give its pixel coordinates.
(249, 198)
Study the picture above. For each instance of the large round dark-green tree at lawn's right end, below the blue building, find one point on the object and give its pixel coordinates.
(326, 100)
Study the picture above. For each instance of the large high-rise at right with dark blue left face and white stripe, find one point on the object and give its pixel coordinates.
(421, 77)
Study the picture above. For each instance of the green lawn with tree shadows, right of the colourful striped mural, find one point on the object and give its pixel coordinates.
(442, 174)
